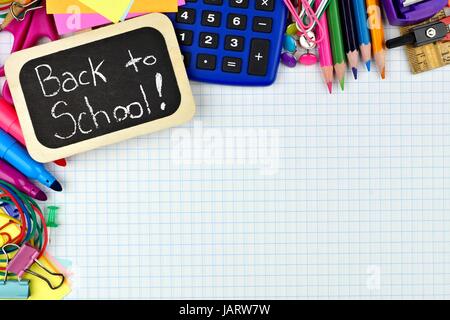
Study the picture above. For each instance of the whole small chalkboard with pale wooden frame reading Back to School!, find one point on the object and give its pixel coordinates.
(100, 87)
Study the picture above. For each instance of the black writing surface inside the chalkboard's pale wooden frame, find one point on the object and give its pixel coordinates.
(101, 87)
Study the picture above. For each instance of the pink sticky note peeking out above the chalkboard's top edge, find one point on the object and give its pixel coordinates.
(68, 23)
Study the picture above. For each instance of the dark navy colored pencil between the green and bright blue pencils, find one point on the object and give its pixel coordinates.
(350, 35)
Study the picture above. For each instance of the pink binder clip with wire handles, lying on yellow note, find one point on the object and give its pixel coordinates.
(24, 259)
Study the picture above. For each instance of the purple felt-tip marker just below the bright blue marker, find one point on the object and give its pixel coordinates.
(14, 177)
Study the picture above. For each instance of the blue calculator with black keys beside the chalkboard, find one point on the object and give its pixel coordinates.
(233, 42)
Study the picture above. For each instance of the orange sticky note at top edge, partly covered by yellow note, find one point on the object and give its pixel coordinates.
(138, 6)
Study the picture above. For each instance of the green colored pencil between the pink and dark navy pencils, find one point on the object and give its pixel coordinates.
(337, 41)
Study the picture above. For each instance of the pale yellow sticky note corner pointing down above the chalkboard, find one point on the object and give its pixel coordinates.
(113, 11)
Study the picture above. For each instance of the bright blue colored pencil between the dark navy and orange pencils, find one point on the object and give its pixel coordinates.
(365, 46)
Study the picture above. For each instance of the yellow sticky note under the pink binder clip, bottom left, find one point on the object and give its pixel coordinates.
(39, 289)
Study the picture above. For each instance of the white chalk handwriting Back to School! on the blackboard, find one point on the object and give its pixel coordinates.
(92, 115)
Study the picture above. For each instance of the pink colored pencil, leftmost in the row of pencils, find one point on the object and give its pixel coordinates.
(324, 48)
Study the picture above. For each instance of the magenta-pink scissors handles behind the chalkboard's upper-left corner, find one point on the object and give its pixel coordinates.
(27, 31)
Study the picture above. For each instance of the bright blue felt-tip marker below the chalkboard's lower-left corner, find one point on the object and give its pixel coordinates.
(12, 152)
